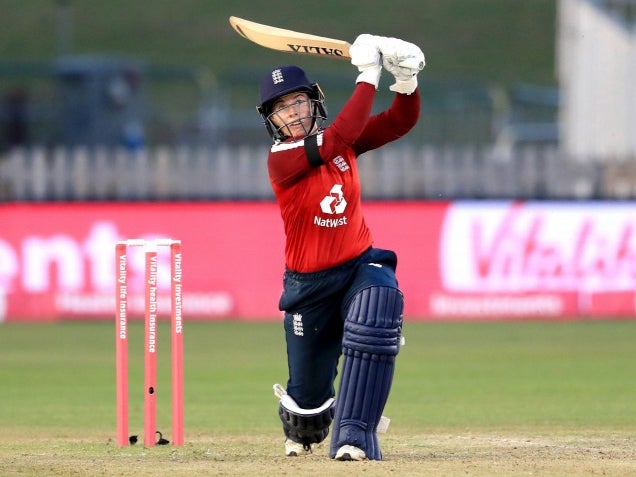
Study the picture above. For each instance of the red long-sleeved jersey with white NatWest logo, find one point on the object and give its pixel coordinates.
(320, 206)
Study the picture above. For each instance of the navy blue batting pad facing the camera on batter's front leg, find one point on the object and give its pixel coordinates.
(370, 344)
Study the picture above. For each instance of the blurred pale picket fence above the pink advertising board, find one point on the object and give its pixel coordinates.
(224, 173)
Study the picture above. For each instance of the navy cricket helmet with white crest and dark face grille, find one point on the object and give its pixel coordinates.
(284, 80)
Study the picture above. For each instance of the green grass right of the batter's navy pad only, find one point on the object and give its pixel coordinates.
(505, 375)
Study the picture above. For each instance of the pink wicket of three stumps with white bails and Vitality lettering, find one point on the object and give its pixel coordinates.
(150, 338)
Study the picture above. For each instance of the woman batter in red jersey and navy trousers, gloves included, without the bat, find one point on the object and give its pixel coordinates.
(340, 295)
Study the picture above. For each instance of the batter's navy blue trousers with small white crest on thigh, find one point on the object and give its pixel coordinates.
(315, 306)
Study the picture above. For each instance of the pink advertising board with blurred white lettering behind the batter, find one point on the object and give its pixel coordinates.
(457, 260)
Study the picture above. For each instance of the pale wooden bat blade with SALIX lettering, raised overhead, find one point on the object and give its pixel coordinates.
(290, 41)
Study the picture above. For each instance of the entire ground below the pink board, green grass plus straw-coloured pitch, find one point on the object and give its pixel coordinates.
(468, 398)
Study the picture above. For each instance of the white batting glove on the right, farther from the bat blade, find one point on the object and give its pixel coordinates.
(404, 61)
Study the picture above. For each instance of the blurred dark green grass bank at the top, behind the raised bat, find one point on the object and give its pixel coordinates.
(493, 40)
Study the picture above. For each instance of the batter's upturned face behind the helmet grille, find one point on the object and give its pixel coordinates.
(292, 115)
